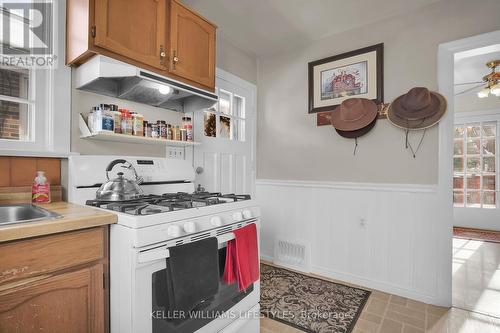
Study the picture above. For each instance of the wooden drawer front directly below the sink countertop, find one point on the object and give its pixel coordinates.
(43, 255)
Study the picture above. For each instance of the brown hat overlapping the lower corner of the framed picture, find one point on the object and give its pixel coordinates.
(354, 114)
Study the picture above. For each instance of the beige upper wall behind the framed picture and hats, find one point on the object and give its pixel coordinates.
(290, 146)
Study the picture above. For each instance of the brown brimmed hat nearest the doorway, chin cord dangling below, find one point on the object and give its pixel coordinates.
(419, 108)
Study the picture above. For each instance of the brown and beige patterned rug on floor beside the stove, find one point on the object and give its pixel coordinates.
(308, 303)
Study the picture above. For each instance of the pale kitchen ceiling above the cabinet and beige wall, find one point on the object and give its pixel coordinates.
(263, 27)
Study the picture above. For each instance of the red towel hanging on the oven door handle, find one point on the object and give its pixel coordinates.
(242, 260)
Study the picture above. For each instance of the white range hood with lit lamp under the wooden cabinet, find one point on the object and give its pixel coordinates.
(105, 76)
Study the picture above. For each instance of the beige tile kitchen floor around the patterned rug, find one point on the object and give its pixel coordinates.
(385, 313)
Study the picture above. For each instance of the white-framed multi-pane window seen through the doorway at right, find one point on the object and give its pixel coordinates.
(475, 164)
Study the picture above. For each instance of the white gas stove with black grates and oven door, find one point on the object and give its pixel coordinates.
(171, 213)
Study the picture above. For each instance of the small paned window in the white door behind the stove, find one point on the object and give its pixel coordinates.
(226, 119)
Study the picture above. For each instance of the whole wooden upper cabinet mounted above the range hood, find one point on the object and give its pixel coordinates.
(144, 33)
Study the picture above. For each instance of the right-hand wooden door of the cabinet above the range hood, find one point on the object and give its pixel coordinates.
(192, 43)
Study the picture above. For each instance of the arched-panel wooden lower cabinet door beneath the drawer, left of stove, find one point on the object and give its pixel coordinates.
(68, 302)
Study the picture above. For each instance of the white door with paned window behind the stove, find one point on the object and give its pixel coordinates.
(225, 160)
